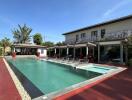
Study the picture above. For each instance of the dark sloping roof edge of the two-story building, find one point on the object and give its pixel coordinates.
(101, 24)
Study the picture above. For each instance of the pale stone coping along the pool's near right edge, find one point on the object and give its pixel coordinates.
(74, 87)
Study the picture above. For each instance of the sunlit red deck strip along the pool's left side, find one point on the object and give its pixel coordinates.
(8, 90)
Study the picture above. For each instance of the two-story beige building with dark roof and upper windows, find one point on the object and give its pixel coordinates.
(108, 36)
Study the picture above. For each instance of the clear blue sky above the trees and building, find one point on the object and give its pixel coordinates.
(51, 18)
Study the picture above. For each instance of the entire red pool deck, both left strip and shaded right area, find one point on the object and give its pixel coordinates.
(117, 87)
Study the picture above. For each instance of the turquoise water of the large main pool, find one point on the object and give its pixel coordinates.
(50, 77)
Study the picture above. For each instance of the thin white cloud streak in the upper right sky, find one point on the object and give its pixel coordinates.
(116, 7)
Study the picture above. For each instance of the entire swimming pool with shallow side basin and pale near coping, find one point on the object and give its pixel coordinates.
(50, 79)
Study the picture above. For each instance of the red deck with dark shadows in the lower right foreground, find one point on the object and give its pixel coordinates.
(118, 87)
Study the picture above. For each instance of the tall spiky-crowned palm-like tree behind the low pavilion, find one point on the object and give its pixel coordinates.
(22, 34)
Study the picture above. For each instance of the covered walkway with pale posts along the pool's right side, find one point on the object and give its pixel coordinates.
(80, 50)
